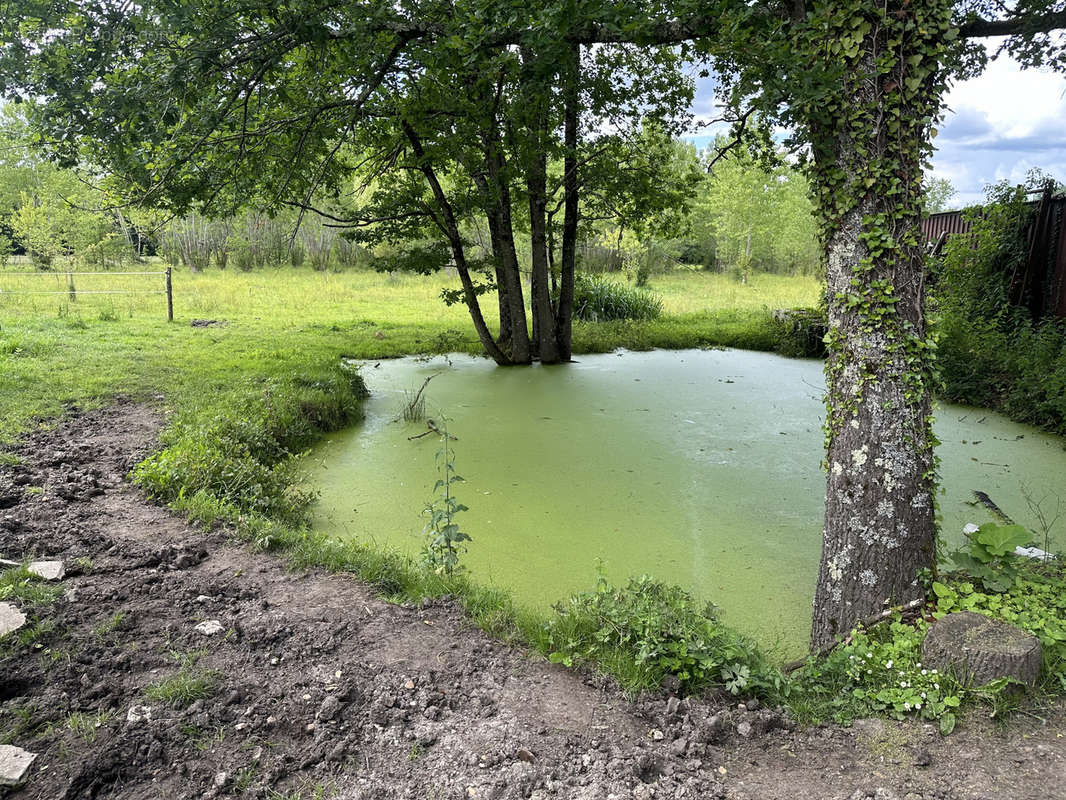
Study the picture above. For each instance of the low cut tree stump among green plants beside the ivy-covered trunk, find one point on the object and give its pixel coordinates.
(979, 650)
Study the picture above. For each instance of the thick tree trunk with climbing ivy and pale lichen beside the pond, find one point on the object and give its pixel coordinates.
(880, 527)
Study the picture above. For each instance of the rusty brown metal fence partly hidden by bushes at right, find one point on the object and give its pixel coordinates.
(1040, 284)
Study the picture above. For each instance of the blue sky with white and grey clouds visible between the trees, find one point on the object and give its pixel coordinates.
(998, 125)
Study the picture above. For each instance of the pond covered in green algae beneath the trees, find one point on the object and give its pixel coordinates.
(701, 468)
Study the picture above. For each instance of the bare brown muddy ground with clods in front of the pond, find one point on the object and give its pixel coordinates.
(324, 691)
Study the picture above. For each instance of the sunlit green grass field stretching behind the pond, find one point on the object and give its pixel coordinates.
(57, 354)
